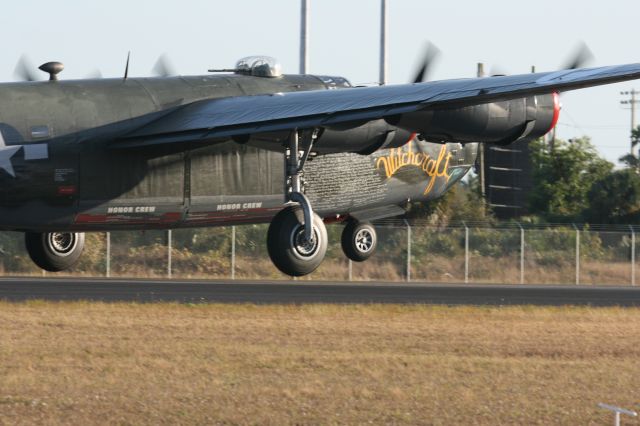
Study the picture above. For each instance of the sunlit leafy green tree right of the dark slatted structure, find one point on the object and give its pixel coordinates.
(563, 176)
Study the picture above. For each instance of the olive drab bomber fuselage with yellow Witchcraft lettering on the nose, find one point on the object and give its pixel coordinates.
(59, 170)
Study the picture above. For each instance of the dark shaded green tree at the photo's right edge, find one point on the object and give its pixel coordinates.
(615, 198)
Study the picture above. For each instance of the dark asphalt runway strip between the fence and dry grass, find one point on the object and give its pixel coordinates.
(298, 292)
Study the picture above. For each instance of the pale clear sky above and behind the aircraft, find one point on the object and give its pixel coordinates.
(506, 35)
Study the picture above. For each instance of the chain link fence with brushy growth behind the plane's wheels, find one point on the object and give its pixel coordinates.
(462, 253)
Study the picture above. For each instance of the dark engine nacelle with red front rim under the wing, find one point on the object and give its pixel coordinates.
(499, 123)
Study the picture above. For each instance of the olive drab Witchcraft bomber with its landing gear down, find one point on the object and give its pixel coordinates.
(252, 145)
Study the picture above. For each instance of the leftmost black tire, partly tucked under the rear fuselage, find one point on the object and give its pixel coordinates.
(44, 253)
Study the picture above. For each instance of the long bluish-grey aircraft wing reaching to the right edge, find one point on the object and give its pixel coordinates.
(208, 120)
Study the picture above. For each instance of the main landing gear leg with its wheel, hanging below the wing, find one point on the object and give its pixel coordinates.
(297, 237)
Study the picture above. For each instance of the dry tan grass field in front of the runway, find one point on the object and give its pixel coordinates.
(86, 363)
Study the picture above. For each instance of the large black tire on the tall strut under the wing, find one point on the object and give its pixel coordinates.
(284, 253)
